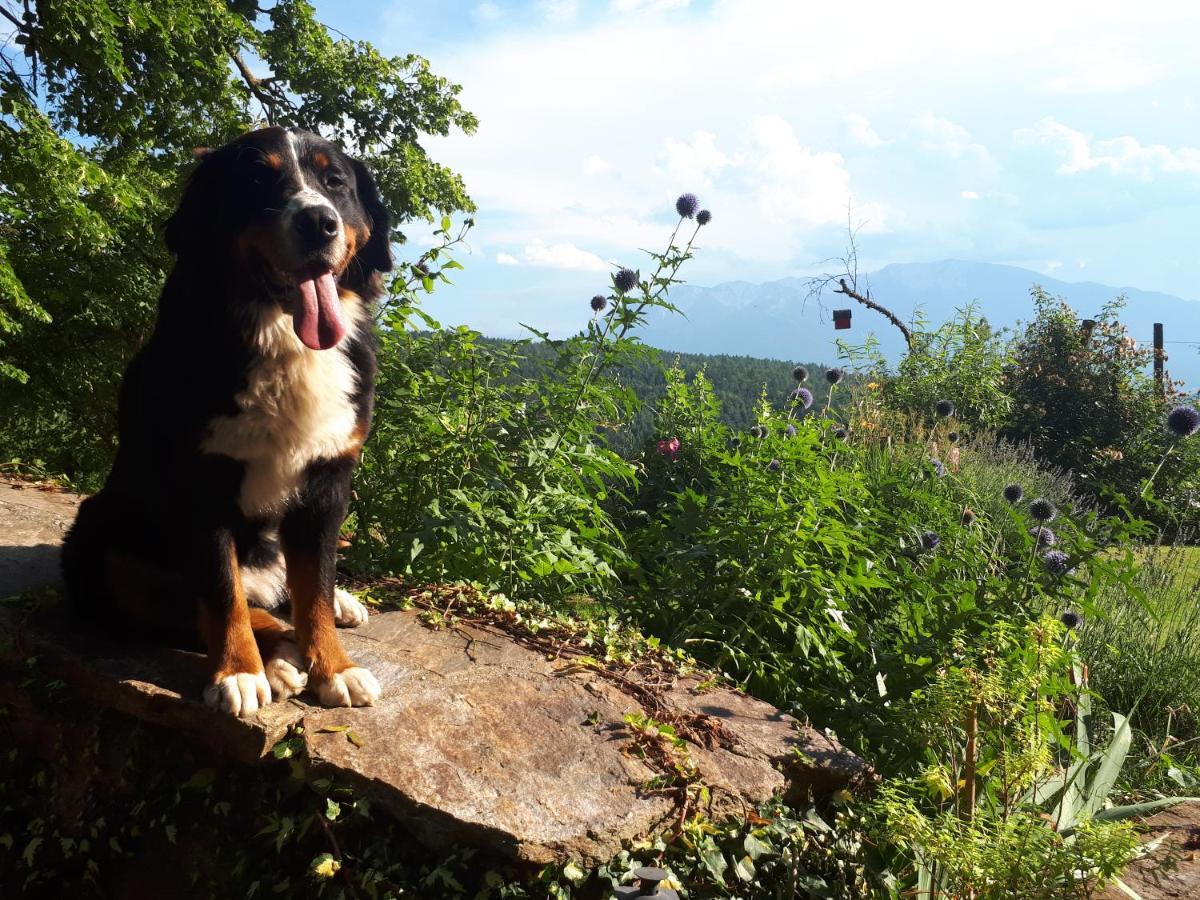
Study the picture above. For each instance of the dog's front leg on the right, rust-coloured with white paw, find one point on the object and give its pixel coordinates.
(309, 535)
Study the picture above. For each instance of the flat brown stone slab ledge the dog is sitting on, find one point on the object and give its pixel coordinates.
(479, 740)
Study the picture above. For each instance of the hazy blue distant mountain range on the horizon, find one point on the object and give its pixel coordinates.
(773, 320)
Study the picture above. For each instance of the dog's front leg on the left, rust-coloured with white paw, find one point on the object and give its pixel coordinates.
(238, 683)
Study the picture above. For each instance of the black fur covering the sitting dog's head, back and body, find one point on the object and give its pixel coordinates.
(153, 550)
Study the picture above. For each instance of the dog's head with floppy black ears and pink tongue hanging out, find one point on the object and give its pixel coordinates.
(303, 215)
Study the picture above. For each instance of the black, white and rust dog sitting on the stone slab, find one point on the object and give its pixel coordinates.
(241, 423)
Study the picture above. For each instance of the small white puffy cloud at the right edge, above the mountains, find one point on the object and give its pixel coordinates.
(1078, 153)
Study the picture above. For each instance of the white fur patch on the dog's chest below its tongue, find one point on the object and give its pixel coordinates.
(296, 410)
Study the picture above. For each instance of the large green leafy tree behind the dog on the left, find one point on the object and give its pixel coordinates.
(98, 124)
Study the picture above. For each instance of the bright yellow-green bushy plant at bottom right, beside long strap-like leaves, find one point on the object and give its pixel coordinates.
(1015, 788)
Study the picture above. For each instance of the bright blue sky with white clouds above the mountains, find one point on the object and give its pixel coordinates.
(1060, 136)
